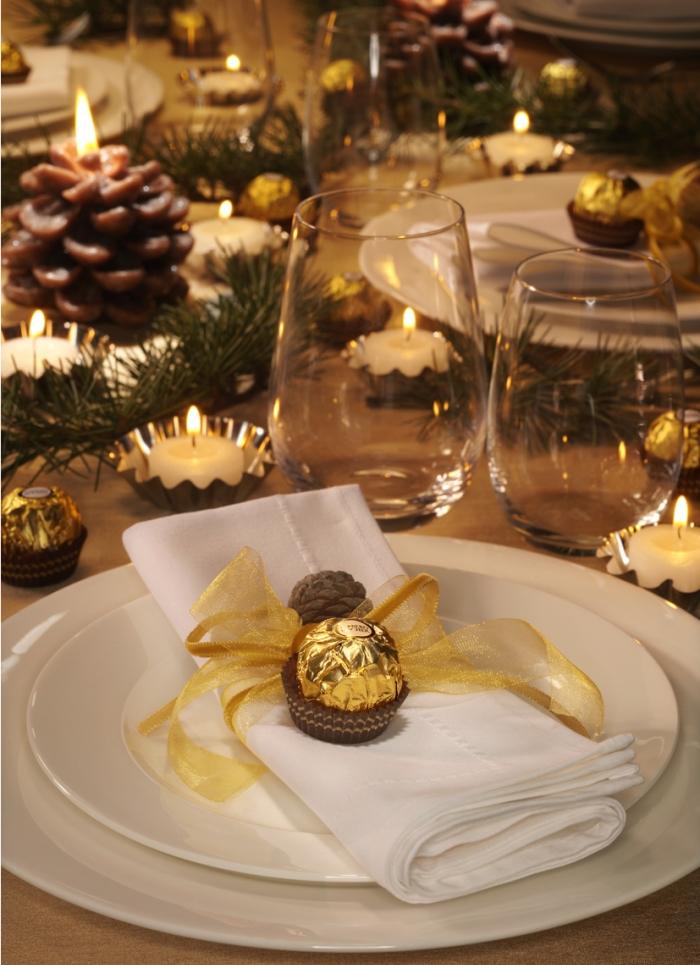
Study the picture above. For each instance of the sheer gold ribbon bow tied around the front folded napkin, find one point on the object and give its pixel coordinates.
(251, 635)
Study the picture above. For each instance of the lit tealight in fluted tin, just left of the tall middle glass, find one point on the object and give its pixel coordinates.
(195, 457)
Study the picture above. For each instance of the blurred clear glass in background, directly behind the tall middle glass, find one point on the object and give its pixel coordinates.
(371, 115)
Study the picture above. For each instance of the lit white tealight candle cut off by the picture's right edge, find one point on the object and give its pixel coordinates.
(667, 552)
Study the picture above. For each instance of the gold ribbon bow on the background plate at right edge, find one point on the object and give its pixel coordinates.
(659, 207)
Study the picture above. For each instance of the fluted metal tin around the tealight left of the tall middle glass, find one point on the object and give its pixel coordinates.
(129, 457)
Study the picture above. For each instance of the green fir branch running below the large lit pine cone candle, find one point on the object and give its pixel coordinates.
(206, 348)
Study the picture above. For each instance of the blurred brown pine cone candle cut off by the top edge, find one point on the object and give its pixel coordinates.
(473, 34)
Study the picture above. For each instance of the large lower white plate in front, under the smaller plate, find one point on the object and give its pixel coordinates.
(57, 847)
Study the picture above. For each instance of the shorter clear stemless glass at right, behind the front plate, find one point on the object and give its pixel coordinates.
(587, 356)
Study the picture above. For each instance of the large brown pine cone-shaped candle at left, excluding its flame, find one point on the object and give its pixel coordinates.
(98, 239)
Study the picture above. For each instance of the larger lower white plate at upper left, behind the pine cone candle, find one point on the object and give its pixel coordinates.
(111, 117)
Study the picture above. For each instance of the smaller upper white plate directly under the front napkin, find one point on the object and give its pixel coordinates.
(82, 733)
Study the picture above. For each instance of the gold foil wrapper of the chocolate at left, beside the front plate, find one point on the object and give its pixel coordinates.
(38, 518)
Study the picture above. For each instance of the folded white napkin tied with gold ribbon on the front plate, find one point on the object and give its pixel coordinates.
(460, 793)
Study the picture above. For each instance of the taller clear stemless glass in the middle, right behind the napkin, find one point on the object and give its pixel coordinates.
(378, 375)
